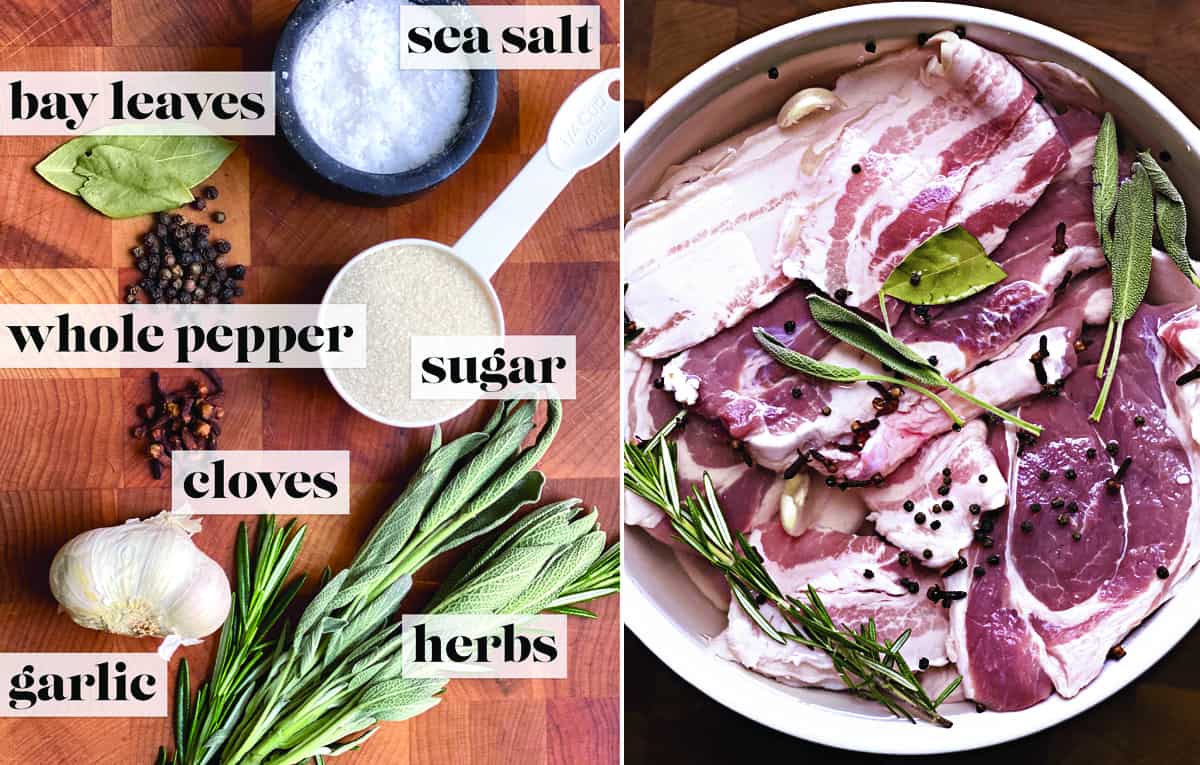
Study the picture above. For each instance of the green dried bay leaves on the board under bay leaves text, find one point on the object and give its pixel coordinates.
(129, 176)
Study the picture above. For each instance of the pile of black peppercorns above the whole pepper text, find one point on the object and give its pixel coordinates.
(181, 264)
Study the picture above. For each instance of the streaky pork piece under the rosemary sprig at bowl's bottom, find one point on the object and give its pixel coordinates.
(859, 579)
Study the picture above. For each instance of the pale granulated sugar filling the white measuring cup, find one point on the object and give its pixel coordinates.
(410, 291)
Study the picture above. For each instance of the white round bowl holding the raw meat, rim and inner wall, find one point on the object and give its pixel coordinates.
(730, 93)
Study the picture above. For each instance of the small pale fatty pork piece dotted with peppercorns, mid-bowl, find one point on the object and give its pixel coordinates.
(957, 528)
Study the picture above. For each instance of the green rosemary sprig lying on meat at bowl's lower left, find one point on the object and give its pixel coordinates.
(869, 667)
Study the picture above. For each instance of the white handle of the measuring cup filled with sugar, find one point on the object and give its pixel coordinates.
(586, 129)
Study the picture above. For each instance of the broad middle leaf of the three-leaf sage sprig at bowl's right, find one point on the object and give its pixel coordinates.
(1132, 244)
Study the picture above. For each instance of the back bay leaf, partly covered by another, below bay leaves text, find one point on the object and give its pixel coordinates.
(191, 159)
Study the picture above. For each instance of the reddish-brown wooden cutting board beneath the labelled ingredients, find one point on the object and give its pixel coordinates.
(68, 463)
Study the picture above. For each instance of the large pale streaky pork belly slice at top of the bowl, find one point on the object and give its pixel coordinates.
(842, 197)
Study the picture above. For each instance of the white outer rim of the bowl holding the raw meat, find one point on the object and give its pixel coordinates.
(765, 701)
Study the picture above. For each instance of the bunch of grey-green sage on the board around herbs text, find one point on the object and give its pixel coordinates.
(338, 673)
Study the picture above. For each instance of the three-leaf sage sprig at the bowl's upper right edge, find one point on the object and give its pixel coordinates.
(1127, 215)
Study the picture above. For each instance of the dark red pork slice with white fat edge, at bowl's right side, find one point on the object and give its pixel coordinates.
(1093, 543)
